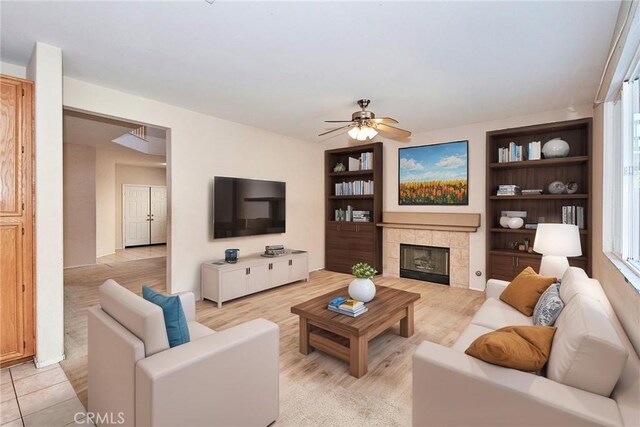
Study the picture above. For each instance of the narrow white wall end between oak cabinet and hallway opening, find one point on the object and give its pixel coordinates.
(45, 68)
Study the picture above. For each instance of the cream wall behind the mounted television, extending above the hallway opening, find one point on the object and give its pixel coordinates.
(201, 147)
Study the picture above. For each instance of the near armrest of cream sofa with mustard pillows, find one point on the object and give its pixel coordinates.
(452, 388)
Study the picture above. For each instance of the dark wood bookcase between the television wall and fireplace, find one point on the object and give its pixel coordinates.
(350, 242)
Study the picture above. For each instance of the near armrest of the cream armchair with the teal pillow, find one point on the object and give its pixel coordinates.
(230, 378)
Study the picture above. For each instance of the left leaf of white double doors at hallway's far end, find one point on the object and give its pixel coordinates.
(136, 215)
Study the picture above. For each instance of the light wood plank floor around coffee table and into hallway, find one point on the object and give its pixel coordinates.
(440, 315)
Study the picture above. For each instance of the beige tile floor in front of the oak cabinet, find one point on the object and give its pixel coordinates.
(38, 397)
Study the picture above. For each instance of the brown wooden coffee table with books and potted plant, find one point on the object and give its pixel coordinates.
(347, 338)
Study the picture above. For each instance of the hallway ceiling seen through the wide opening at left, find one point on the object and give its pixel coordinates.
(98, 132)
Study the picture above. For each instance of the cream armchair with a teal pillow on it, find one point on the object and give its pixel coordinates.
(228, 378)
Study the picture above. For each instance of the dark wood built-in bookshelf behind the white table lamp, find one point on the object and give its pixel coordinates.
(504, 259)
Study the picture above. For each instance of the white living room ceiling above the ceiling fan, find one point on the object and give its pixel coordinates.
(287, 66)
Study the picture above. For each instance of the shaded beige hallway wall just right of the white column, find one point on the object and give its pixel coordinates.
(79, 174)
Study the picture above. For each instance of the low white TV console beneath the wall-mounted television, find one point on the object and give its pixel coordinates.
(222, 281)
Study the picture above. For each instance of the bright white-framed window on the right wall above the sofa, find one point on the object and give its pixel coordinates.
(626, 174)
